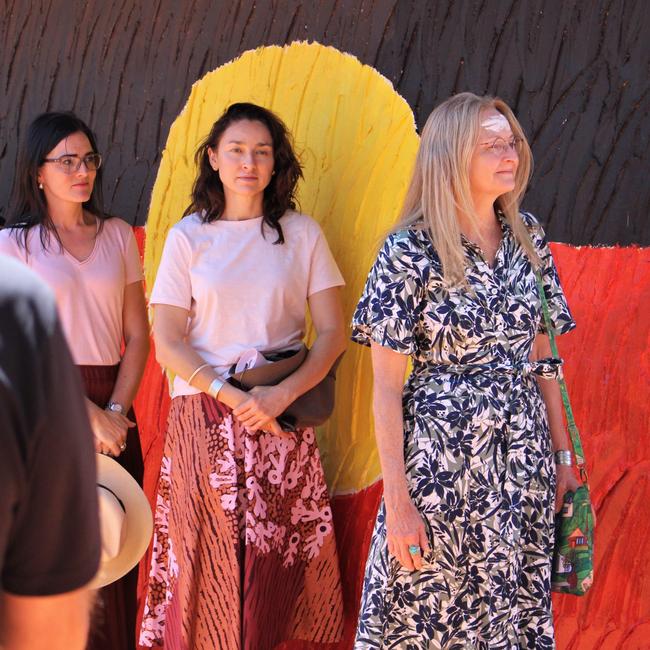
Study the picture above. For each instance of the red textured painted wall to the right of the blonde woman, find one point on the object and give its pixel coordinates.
(608, 374)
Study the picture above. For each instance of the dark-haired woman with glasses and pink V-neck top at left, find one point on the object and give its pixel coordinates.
(56, 225)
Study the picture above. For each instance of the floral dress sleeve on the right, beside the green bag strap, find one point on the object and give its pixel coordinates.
(559, 313)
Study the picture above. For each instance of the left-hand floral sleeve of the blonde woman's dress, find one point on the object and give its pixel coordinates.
(391, 305)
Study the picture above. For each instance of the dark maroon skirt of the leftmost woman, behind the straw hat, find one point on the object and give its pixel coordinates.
(113, 620)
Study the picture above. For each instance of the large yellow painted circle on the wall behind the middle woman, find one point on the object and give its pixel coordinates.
(357, 141)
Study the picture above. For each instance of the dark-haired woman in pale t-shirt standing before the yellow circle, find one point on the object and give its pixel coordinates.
(244, 553)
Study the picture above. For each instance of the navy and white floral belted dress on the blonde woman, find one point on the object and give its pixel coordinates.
(477, 447)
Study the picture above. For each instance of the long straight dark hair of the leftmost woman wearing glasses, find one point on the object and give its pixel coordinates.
(28, 207)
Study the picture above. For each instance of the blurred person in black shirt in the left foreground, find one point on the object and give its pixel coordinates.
(49, 528)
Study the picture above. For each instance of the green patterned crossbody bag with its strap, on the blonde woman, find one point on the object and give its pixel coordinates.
(573, 556)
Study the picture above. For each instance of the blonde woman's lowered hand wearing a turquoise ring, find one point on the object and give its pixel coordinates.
(404, 528)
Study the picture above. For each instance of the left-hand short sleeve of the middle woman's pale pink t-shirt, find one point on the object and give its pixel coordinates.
(173, 284)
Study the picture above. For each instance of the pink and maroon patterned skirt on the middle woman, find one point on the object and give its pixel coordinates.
(244, 554)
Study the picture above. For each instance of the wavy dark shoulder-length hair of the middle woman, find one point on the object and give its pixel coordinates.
(208, 197)
